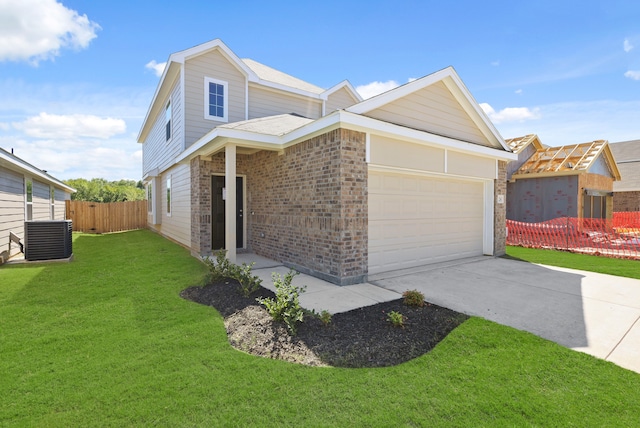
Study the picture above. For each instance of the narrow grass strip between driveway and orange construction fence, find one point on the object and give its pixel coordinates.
(619, 267)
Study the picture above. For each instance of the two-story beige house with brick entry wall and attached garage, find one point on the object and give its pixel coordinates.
(240, 156)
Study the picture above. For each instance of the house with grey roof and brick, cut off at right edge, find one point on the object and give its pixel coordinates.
(626, 192)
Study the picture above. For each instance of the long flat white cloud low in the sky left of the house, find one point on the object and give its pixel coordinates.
(70, 126)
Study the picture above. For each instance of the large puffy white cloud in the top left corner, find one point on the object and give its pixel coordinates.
(36, 30)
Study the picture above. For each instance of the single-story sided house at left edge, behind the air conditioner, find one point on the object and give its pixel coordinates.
(26, 193)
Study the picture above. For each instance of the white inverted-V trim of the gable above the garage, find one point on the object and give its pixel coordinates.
(458, 90)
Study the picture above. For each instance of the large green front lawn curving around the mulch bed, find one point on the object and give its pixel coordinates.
(107, 341)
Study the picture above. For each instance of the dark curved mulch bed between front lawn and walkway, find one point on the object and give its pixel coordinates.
(358, 338)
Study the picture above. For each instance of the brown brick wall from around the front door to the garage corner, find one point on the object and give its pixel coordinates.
(307, 206)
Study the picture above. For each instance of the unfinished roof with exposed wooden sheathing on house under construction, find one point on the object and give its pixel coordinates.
(567, 160)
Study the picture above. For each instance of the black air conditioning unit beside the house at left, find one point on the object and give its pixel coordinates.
(48, 240)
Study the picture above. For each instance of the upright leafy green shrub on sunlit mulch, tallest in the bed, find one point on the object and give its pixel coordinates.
(286, 305)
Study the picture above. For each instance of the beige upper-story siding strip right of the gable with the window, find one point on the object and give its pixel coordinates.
(267, 102)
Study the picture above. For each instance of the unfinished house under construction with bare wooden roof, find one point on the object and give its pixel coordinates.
(550, 182)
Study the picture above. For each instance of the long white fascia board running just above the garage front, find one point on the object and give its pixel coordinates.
(368, 124)
